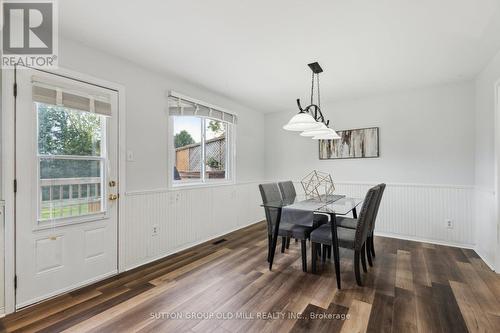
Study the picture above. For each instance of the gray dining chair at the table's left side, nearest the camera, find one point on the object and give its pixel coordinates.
(271, 192)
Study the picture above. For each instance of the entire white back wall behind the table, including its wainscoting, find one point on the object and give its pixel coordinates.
(426, 157)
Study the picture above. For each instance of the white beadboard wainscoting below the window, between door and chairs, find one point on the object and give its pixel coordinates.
(183, 218)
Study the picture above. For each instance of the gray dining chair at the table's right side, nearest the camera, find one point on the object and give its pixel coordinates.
(354, 239)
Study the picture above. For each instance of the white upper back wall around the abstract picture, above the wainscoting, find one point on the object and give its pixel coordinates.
(426, 137)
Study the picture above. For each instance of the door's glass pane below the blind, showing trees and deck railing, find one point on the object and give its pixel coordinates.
(70, 145)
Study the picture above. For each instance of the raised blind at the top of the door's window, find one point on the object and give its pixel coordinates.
(80, 100)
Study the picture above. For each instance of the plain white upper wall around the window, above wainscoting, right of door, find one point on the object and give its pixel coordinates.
(146, 116)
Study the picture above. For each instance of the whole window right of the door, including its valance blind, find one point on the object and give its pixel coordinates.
(202, 147)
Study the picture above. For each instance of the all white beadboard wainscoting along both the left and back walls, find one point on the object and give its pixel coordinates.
(186, 217)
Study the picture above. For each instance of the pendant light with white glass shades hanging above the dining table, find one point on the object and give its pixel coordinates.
(310, 120)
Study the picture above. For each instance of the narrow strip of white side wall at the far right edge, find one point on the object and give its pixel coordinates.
(486, 218)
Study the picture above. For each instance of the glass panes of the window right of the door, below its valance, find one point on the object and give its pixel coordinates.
(200, 149)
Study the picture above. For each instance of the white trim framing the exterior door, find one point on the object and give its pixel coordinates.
(8, 171)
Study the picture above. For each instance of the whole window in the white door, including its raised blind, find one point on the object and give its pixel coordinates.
(71, 154)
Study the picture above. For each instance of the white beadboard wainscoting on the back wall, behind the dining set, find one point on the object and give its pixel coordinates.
(419, 212)
